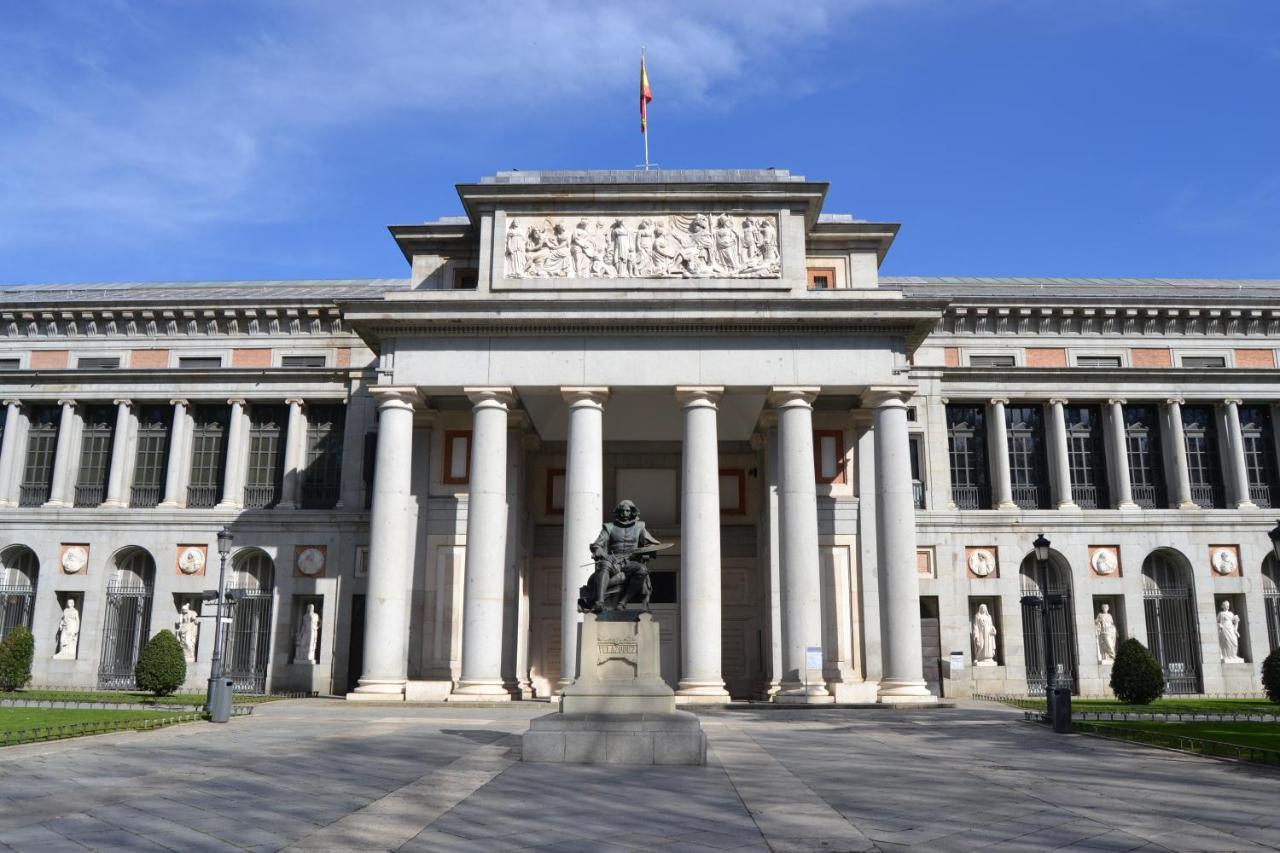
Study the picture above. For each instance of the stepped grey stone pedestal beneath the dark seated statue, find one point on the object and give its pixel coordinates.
(619, 711)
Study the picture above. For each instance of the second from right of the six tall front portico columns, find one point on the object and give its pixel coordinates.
(801, 583)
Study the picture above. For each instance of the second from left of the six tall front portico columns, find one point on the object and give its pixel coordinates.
(487, 549)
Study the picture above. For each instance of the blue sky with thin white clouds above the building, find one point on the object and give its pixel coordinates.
(244, 140)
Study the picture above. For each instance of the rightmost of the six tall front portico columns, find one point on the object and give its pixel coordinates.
(903, 679)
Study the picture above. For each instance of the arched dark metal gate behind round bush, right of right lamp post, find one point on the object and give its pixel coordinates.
(1172, 633)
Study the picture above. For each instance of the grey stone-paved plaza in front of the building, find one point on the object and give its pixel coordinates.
(316, 776)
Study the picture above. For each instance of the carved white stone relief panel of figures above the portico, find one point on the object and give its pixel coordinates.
(701, 245)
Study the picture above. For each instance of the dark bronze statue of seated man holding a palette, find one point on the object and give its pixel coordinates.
(620, 573)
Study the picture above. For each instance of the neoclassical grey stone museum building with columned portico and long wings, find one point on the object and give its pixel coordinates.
(849, 467)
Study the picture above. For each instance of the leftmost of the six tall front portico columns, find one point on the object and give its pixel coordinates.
(391, 568)
